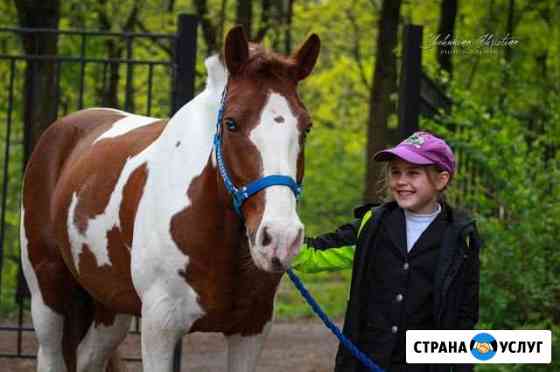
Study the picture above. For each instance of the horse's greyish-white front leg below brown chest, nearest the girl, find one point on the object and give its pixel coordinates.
(244, 351)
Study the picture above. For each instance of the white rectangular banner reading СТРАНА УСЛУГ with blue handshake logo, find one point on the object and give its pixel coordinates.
(478, 346)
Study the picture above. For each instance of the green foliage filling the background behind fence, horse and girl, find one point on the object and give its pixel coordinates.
(505, 128)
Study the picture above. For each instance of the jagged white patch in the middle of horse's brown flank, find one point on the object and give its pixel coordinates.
(95, 235)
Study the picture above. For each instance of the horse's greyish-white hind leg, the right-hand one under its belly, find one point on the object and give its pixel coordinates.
(105, 334)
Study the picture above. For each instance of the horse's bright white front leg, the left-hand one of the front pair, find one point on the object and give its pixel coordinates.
(165, 319)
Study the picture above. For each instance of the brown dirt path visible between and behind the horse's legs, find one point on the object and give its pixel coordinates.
(299, 346)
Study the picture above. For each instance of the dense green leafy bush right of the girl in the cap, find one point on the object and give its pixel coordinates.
(508, 176)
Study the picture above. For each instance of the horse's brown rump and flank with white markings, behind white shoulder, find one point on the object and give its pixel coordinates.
(69, 182)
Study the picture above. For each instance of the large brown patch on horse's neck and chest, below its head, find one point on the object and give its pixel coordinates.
(236, 296)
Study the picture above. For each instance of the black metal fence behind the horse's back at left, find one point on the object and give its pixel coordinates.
(147, 73)
